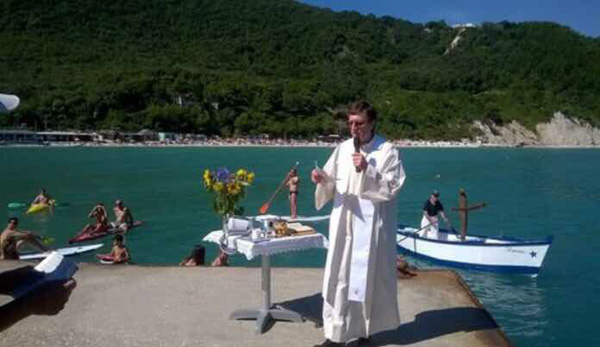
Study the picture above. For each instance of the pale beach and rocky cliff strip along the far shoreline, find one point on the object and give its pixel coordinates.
(560, 132)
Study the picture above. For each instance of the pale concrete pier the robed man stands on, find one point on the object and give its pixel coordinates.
(175, 306)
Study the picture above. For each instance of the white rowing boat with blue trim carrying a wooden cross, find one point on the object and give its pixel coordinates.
(498, 254)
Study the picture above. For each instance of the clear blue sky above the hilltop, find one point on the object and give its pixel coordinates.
(580, 15)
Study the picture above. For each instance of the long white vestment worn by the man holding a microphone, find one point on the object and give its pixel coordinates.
(359, 285)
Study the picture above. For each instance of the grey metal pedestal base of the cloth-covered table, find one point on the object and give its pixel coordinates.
(266, 312)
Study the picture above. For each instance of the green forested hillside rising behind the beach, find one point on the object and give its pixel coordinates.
(281, 67)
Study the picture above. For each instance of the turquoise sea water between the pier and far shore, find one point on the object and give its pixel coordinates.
(530, 192)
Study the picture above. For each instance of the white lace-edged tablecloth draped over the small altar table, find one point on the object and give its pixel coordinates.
(251, 249)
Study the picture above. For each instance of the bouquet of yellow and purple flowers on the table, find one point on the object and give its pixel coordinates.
(228, 188)
